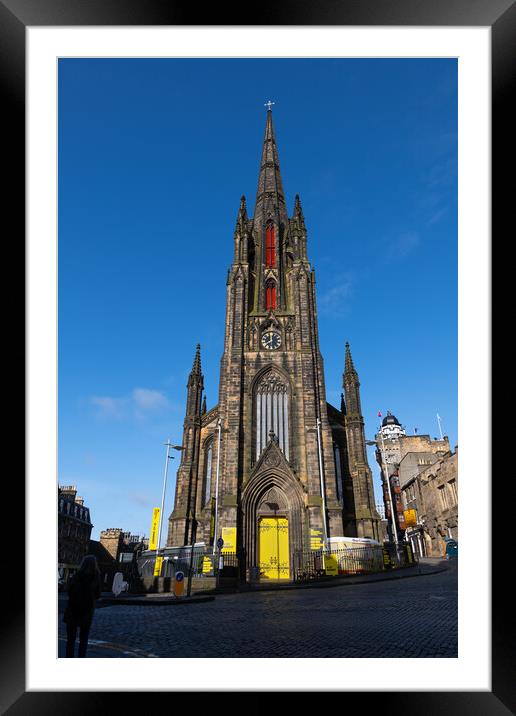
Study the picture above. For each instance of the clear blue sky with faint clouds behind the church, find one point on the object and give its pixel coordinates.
(154, 155)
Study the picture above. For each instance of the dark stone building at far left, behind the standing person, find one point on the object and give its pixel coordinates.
(74, 530)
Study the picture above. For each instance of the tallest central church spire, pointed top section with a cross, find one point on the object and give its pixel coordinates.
(269, 194)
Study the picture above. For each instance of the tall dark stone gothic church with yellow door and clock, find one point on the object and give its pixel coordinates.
(273, 468)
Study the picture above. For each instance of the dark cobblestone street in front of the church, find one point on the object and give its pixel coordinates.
(412, 617)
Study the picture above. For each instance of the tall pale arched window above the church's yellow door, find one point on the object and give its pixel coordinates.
(271, 412)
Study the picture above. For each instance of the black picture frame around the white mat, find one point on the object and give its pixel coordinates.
(500, 16)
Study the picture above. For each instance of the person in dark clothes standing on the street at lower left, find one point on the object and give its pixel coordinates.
(83, 591)
